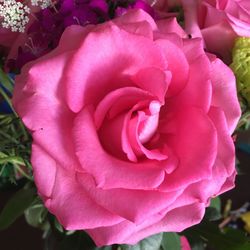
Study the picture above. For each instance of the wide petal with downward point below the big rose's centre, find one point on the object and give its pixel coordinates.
(146, 203)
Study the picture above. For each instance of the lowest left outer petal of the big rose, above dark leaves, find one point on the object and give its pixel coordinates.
(74, 208)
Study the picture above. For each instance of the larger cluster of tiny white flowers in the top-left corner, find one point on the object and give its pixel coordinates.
(13, 15)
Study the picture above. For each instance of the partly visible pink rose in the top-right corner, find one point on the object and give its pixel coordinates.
(221, 21)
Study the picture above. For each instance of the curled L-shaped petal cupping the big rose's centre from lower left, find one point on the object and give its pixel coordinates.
(144, 175)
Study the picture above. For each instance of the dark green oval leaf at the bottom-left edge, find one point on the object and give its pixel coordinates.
(15, 207)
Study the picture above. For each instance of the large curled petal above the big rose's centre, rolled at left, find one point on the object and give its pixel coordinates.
(104, 69)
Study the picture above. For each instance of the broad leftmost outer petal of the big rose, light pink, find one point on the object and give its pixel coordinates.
(35, 94)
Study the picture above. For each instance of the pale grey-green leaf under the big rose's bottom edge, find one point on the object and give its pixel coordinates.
(150, 243)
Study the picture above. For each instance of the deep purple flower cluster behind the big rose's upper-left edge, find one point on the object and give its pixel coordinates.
(44, 33)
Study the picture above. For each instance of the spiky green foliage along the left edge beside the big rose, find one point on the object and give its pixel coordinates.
(14, 141)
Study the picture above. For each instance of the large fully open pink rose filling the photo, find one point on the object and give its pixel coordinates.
(131, 128)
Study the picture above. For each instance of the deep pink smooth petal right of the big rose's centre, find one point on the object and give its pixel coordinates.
(196, 150)
